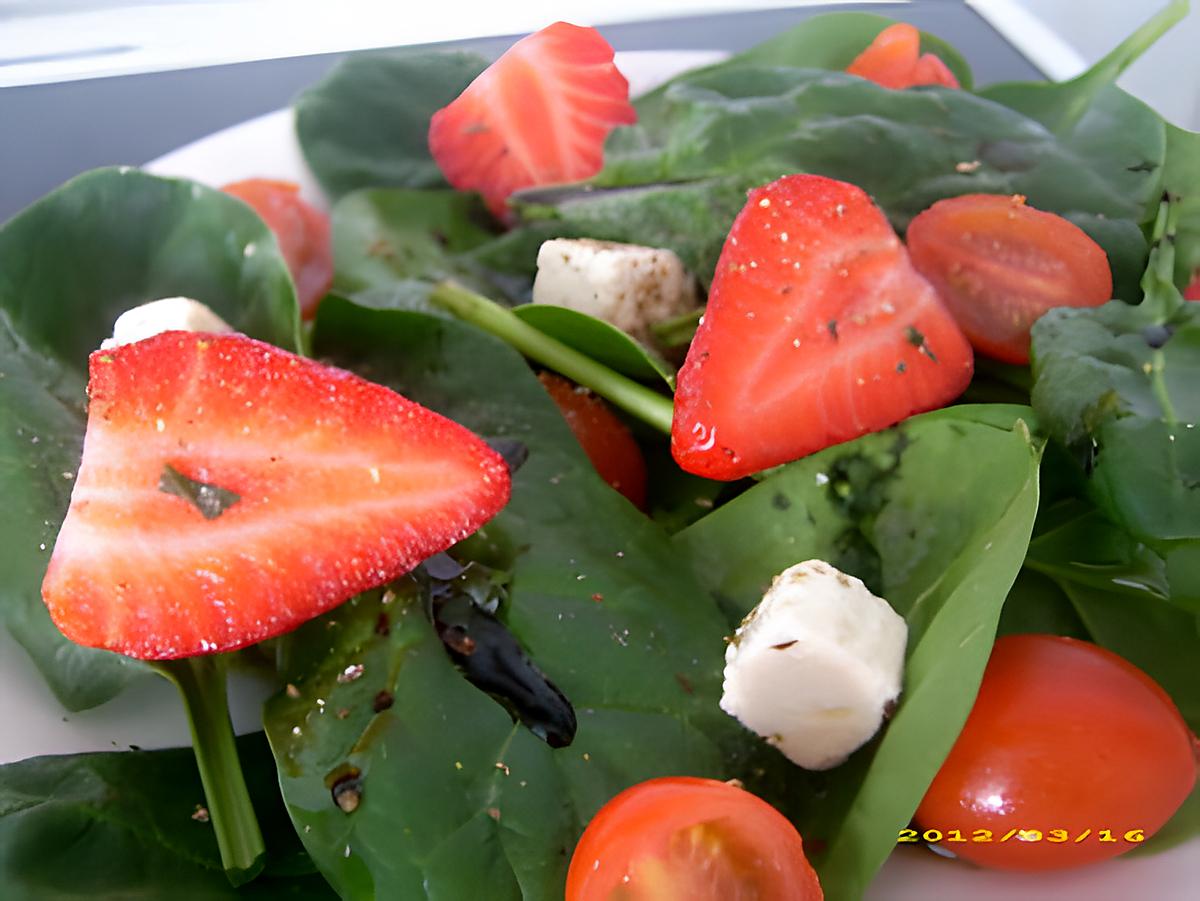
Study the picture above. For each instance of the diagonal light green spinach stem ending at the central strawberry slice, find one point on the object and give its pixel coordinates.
(635, 399)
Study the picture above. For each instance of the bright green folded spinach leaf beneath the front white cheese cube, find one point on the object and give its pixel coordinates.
(879, 508)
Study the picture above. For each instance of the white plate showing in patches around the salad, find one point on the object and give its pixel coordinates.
(149, 716)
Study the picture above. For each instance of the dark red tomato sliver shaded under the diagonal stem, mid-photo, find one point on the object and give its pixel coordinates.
(605, 439)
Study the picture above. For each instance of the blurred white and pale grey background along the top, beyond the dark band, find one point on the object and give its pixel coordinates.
(46, 41)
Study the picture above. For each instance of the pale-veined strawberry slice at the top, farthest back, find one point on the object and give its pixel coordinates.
(538, 116)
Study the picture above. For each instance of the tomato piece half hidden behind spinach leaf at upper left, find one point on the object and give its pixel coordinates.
(302, 231)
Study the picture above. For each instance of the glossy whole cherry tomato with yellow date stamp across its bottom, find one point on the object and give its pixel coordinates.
(1065, 737)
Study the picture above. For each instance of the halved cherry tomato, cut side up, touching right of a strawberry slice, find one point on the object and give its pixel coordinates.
(999, 266)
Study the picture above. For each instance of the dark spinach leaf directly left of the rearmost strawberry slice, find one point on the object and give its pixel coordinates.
(367, 123)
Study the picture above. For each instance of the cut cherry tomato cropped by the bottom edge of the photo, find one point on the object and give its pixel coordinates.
(685, 839)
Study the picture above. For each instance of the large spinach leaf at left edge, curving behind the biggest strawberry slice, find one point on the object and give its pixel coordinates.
(70, 265)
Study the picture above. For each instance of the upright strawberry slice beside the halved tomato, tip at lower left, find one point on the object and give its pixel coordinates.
(818, 331)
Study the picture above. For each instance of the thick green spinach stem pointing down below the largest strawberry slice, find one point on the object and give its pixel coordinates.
(202, 683)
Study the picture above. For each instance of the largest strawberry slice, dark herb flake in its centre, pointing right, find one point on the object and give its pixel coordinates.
(230, 491)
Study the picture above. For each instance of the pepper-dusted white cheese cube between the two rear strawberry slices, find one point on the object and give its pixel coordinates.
(626, 285)
